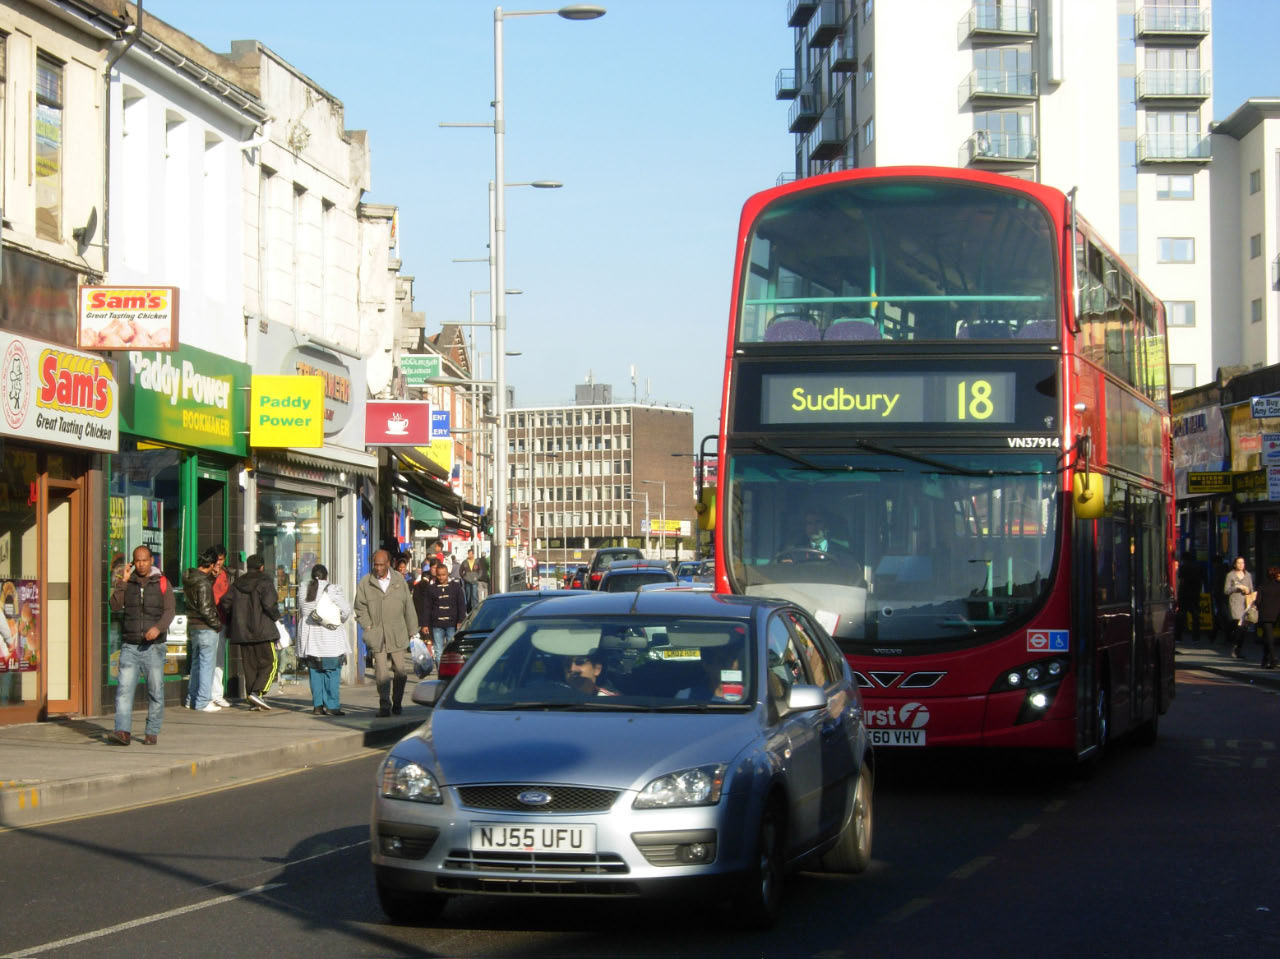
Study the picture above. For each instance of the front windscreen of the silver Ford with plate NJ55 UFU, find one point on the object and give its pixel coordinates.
(630, 663)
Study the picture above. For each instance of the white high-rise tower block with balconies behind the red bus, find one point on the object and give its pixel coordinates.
(1110, 97)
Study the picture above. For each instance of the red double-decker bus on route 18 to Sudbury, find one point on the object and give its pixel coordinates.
(945, 432)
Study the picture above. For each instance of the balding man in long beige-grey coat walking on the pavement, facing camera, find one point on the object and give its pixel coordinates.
(385, 609)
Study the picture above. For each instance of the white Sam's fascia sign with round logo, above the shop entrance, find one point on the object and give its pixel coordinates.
(58, 395)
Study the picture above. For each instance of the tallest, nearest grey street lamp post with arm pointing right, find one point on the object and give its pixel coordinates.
(573, 12)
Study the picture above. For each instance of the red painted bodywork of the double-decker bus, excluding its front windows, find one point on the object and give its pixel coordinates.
(1119, 674)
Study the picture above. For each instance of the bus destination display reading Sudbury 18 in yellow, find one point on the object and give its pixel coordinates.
(971, 399)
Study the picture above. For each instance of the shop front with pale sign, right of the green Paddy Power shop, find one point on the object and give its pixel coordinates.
(314, 505)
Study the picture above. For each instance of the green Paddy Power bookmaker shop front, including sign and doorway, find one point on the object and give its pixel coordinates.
(176, 485)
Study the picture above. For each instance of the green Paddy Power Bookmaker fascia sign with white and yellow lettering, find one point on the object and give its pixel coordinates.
(188, 398)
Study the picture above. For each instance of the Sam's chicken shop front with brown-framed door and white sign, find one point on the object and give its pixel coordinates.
(61, 418)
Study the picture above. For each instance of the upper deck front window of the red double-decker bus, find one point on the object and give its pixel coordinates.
(900, 261)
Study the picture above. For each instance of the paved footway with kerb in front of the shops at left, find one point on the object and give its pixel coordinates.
(66, 769)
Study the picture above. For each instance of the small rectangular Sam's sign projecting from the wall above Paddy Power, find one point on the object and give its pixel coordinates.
(129, 318)
